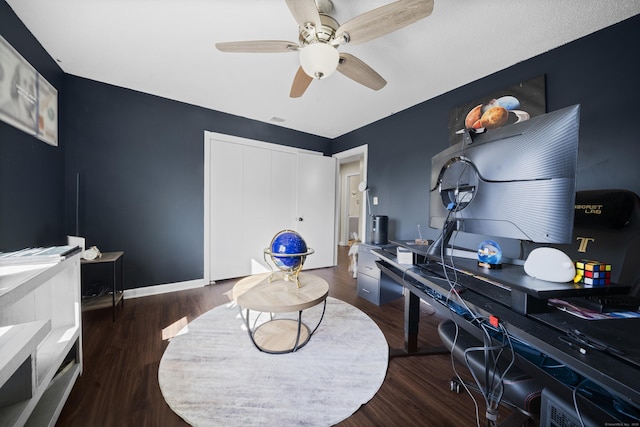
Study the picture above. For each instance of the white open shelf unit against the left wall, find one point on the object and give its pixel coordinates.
(40, 340)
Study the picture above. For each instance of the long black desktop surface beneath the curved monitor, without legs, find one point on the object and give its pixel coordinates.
(543, 330)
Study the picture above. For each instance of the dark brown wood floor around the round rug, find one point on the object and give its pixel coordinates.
(119, 385)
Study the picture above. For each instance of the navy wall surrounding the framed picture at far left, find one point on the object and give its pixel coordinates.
(31, 172)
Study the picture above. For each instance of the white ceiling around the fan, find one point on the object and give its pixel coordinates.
(166, 48)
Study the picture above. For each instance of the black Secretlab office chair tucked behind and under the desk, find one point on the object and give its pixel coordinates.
(606, 229)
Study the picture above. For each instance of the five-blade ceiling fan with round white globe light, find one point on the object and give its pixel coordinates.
(321, 35)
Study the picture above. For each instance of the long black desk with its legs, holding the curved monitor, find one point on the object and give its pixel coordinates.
(541, 330)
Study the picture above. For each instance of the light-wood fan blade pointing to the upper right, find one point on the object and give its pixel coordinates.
(383, 20)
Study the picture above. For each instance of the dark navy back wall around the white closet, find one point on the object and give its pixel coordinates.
(140, 162)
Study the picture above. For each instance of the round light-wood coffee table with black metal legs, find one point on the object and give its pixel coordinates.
(269, 293)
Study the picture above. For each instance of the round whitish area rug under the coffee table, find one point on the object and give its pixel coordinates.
(212, 375)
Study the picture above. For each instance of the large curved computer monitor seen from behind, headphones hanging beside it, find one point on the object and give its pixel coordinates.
(516, 182)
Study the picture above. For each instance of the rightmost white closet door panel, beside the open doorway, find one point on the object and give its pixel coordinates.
(316, 207)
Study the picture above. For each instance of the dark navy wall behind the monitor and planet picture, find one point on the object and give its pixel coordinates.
(597, 71)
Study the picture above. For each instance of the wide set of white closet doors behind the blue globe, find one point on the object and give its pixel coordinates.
(257, 191)
